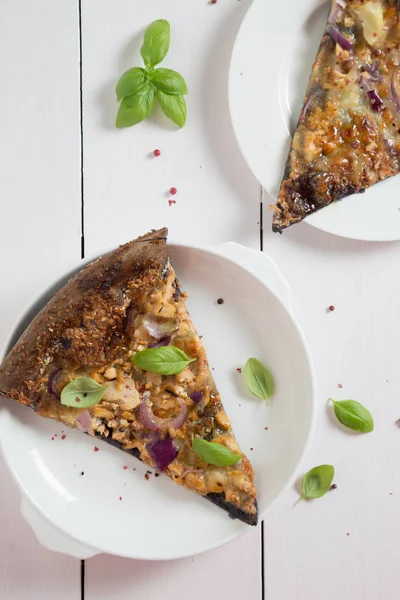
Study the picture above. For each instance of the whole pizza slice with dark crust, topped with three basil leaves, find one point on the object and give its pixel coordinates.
(115, 354)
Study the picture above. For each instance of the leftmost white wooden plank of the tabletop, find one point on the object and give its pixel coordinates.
(40, 195)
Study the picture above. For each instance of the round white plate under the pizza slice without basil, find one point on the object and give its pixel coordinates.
(270, 68)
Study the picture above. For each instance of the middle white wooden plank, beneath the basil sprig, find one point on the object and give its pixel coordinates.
(126, 193)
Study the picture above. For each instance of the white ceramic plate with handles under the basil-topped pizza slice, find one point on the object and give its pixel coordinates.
(156, 519)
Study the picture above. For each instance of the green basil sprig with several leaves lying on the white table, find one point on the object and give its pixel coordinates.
(138, 87)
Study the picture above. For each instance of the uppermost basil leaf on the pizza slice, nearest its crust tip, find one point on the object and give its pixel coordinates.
(167, 360)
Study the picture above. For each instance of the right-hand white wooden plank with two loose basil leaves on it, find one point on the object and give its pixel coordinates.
(346, 544)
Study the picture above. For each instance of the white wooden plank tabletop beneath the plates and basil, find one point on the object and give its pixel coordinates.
(59, 61)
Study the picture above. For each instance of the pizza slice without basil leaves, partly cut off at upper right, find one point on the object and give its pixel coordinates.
(348, 134)
